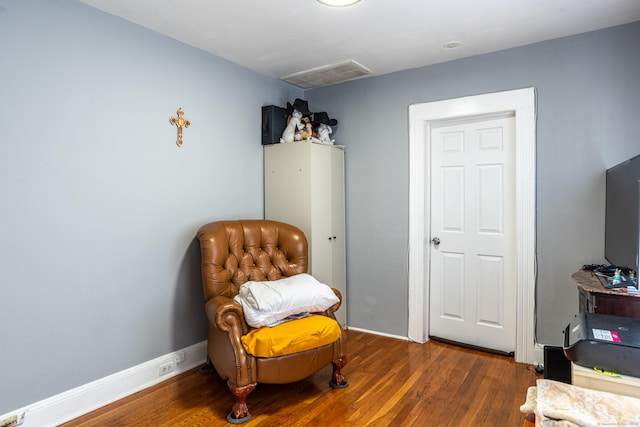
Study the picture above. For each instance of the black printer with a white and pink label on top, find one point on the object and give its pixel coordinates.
(610, 343)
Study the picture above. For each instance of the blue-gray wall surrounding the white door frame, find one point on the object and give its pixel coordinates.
(588, 99)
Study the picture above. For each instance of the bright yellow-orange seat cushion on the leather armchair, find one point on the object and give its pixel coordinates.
(292, 337)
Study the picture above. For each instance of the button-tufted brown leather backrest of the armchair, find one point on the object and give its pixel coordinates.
(234, 252)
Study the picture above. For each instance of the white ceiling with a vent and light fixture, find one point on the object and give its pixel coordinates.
(278, 38)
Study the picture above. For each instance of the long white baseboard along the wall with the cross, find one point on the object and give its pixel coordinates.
(81, 400)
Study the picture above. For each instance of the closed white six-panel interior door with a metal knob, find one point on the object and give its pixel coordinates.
(472, 220)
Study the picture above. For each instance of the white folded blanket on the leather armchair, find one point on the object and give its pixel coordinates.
(266, 303)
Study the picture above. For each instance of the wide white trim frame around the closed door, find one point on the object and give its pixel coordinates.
(520, 102)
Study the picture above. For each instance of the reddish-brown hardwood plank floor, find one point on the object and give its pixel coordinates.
(392, 382)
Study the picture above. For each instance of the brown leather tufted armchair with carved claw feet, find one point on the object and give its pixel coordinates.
(234, 252)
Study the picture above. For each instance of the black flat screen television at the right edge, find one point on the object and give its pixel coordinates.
(622, 216)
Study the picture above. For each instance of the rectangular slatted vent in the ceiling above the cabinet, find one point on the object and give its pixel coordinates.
(327, 75)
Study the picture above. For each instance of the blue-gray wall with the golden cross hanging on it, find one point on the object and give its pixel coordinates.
(99, 270)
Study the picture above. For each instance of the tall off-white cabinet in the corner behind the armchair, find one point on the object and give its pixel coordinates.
(304, 186)
